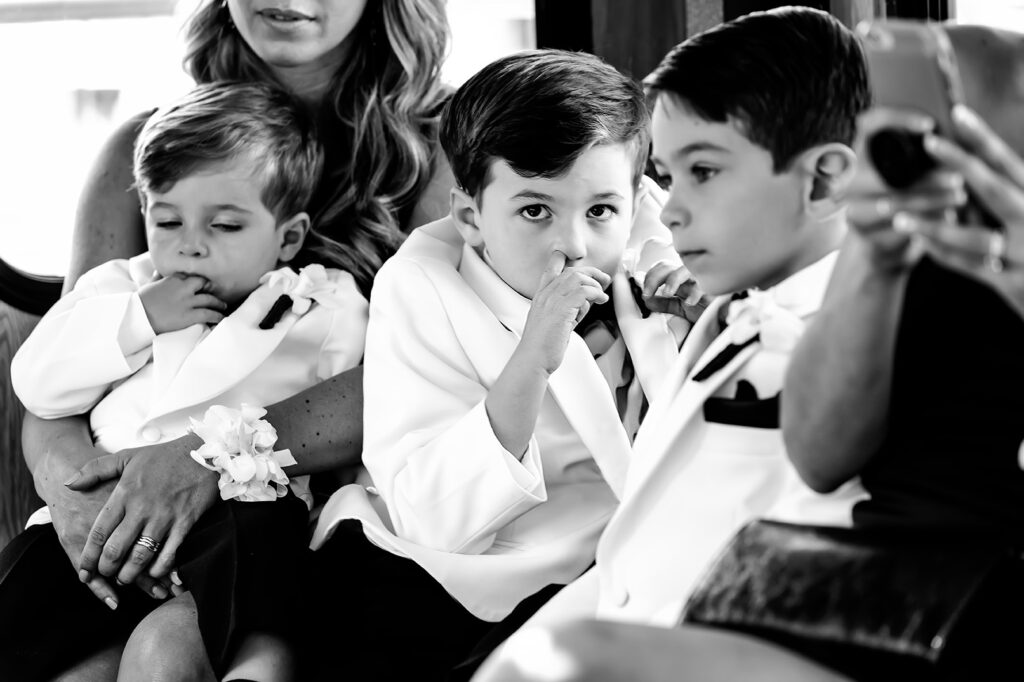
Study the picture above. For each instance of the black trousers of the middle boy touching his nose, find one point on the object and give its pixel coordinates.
(388, 619)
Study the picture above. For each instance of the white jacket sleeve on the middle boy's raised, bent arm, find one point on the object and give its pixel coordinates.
(447, 481)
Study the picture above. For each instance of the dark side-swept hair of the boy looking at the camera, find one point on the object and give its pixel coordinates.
(539, 111)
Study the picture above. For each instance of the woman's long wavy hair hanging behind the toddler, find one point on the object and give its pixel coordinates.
(378, 122)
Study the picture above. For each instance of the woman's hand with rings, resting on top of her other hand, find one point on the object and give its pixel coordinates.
(161, 494)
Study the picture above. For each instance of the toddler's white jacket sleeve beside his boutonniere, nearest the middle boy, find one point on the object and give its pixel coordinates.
(346, 340)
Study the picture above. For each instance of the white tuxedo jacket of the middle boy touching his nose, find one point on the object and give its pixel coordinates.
(489, 528)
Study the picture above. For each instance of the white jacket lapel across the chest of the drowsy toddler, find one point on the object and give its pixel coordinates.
(226, 357)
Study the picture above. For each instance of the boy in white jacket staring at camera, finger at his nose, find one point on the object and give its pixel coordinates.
(499, 420)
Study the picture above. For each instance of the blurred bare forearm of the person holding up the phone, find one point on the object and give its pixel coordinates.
(836, 401)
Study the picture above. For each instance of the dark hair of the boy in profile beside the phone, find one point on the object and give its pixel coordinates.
(792, 78)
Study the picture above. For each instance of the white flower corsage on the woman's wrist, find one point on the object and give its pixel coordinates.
(239, 445)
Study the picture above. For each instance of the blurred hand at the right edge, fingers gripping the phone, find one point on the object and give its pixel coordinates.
(995, 175)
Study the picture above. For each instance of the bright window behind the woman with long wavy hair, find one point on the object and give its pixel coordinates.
(74, 70)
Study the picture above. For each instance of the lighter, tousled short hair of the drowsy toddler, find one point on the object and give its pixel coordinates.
(223, 121)
